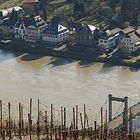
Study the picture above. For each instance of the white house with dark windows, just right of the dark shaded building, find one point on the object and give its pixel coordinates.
(110, 38)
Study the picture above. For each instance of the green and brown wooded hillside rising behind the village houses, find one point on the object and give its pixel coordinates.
(104, 14)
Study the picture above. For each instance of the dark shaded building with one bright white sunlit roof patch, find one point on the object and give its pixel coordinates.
(87, 35)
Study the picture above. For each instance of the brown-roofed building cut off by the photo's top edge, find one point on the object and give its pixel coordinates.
(31, 7)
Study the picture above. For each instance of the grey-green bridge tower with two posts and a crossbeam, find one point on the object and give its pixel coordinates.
(125, 113)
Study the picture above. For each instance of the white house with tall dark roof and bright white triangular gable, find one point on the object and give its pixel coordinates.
(55, 32)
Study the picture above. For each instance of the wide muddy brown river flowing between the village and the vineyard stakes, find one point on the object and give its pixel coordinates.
(64, 82)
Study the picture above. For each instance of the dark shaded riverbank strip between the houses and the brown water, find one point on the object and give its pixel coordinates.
(77, 53)
